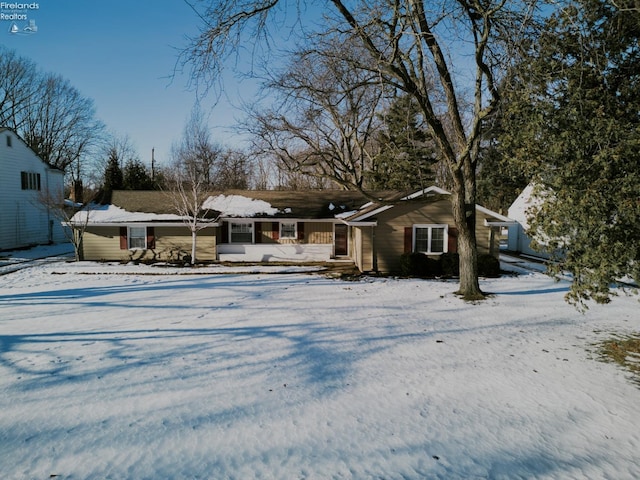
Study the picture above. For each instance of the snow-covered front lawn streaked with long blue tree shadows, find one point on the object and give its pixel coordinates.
(296, 375)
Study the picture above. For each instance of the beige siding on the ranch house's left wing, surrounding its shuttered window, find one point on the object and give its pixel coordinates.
(171, 243)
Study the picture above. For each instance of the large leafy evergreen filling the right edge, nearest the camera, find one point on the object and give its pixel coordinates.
(574, 124)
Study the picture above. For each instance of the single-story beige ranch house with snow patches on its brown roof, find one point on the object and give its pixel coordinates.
(284, 226)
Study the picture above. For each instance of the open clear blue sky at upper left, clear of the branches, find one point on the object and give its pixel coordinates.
(120, 53)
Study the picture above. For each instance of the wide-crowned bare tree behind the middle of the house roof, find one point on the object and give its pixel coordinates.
(324, 123)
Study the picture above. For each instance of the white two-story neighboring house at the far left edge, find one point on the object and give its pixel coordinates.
(24, 180)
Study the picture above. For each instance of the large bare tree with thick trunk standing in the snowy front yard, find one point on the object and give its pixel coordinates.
(409, 44)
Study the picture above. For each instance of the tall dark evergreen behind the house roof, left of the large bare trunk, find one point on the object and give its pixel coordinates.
(406, 157)
